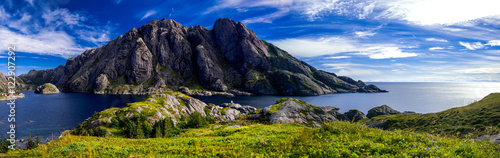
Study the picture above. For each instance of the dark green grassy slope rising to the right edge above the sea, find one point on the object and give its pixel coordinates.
(479, 118)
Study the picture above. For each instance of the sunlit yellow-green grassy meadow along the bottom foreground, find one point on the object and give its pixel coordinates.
(337, 139)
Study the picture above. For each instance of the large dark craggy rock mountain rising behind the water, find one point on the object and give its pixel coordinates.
(164, 54)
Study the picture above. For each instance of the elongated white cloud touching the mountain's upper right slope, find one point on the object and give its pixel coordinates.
(316, 47)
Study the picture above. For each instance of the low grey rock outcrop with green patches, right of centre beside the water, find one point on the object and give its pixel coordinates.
(290, 110)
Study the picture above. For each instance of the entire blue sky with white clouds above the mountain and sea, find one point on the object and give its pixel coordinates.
(386, 40)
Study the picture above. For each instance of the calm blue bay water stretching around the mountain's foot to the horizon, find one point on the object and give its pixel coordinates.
(54, 113)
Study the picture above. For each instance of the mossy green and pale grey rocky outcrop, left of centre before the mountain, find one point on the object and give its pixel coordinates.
(171, 105)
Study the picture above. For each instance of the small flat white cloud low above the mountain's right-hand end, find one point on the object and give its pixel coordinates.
(386, 53)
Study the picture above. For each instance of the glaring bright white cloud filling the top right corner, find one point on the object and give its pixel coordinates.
(429, 12)
